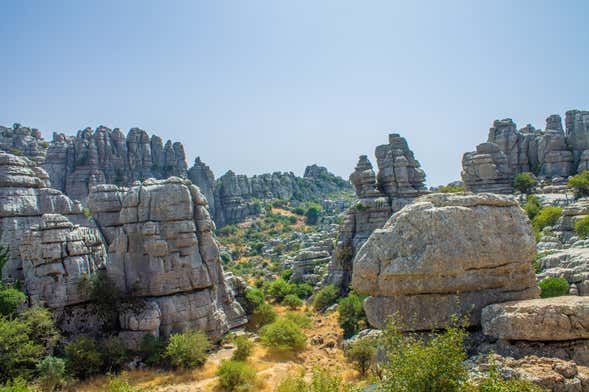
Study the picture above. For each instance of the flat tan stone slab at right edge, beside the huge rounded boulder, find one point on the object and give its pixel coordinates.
(549, 319)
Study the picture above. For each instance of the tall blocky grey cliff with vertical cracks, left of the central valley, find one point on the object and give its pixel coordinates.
(163, 250)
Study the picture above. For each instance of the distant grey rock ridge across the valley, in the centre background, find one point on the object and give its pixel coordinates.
(236, 196)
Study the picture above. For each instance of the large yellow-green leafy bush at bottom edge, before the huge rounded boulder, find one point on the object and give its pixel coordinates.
(416, 364)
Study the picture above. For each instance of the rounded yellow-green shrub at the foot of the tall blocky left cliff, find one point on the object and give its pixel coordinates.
(188, 349)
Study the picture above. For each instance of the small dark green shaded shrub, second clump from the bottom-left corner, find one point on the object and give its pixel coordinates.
(83, 358)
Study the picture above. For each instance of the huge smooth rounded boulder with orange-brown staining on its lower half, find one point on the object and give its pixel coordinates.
(446, 254)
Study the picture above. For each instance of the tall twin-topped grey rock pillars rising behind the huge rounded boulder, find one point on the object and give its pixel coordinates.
(399, 181)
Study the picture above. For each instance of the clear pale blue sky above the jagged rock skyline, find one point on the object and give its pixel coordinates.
(258, 86)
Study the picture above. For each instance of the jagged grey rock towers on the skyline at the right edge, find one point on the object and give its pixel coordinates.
(554, 152)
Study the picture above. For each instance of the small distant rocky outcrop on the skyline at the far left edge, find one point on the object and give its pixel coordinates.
(20, 140)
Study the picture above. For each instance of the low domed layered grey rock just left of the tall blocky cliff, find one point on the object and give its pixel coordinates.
(56, 256)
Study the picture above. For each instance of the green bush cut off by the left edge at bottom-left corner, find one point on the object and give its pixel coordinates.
(19, 354)
